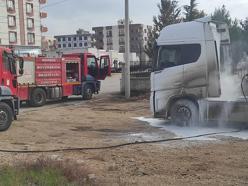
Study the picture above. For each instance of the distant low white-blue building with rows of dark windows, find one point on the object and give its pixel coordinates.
(81, 40)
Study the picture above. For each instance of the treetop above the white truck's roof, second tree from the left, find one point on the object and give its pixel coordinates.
(191, 12)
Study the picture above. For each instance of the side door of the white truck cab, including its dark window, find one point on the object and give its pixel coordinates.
(167, 78)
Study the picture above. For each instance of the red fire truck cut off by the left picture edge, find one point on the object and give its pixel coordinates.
(9, 102)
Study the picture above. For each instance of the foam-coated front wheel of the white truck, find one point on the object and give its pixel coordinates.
(184, 112)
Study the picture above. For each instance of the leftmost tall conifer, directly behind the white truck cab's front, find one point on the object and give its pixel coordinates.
(169, 14)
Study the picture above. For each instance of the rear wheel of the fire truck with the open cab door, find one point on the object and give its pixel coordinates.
(38, 97)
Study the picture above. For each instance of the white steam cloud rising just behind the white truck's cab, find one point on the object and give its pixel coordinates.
(231, 92)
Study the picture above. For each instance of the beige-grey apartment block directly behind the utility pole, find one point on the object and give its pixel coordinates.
(113, 38)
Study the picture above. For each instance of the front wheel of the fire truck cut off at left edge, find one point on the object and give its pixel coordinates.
(6, 116)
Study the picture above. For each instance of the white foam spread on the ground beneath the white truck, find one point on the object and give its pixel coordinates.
(193, 131)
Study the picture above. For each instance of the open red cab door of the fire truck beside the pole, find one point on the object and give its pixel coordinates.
(104, 67)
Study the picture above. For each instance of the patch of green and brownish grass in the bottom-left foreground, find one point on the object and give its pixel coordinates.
(45, 172)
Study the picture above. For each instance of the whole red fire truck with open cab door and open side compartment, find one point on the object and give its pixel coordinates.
(58, 78)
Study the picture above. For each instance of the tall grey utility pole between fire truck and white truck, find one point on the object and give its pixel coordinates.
(127, 51)
